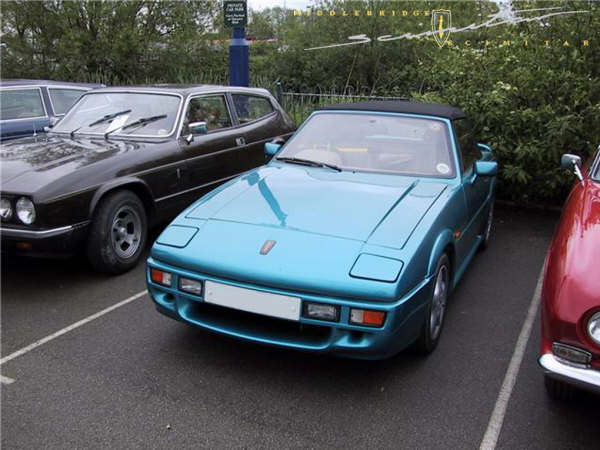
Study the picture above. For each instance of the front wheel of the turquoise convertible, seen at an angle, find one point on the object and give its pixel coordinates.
(436, 308)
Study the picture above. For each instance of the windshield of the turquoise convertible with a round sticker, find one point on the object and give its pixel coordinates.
(374, 142)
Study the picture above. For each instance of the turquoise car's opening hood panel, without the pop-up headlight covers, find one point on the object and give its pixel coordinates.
(344, 205)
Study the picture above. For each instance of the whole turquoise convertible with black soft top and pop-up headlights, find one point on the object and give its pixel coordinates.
(347, 242)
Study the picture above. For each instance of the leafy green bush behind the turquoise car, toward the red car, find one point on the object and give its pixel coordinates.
(527, 109)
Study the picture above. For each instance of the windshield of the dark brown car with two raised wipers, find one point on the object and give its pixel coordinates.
(105, 112)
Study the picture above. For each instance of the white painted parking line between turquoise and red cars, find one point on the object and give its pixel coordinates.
(490, 438)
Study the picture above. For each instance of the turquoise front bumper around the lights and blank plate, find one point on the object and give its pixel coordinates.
(404, 319)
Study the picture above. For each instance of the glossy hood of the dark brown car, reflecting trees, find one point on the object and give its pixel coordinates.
(28, 164)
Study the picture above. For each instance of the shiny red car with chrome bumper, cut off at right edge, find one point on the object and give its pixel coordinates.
(570, 354)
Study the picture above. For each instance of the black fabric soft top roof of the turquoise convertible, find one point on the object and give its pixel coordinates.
(402, 106)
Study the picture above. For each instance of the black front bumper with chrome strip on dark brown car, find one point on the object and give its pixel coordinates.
(60, 241)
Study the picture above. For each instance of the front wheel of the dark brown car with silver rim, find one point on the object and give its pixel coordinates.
(118, 233)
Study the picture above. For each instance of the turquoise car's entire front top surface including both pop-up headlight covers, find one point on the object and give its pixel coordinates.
(321, 223)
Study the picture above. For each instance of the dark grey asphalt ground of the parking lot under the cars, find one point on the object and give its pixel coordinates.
(132, 378)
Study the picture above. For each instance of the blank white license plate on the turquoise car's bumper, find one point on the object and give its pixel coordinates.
(249, 300)
